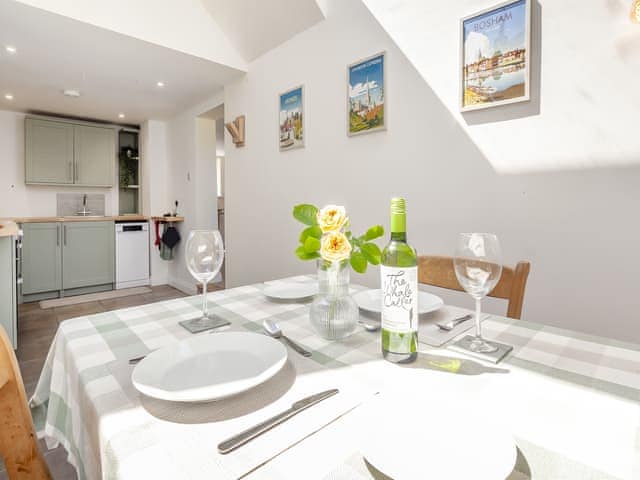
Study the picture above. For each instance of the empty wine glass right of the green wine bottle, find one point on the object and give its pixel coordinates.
(478, 268)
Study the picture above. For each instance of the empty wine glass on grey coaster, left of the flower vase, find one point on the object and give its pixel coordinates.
(204, 254)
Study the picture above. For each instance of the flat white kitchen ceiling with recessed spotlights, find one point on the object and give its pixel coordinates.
(114, 73)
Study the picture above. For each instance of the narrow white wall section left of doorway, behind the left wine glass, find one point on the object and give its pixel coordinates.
(191, 180)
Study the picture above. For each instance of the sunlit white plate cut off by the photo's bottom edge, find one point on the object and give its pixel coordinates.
(416, 440)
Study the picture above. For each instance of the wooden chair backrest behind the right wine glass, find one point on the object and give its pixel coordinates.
(439, 272)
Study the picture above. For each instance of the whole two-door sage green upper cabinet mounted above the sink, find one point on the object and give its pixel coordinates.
(64, 152)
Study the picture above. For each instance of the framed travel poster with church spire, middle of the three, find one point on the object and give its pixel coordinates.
(366, 95)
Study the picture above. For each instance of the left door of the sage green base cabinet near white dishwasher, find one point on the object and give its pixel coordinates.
(41, 258)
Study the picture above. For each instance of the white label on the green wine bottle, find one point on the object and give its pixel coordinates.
(399, 298)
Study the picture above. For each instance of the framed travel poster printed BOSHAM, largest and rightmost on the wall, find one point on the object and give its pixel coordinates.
(495, 56)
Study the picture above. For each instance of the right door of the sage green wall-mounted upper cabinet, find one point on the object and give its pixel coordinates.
(95, 153)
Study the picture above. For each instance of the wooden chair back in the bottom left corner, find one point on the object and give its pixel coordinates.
(18, 442)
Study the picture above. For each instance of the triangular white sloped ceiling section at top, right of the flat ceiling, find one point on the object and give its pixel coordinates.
(256, 26)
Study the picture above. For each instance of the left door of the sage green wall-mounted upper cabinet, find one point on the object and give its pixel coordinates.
(49, 152)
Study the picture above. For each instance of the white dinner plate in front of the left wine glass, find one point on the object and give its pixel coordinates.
(209, 367)
